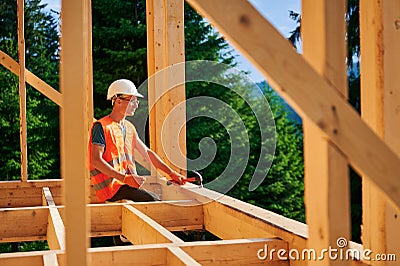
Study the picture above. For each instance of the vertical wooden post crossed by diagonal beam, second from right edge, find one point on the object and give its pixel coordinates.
(327, 195)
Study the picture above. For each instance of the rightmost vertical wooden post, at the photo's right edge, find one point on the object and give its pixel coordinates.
(380, 38)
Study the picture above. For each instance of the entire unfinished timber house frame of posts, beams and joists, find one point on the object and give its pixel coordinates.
(314, 86)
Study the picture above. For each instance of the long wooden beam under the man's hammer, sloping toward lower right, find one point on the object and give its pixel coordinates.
(237, 214)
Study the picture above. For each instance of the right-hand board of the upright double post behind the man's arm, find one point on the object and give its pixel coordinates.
(175, 98)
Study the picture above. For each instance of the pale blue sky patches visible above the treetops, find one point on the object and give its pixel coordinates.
(276, 11)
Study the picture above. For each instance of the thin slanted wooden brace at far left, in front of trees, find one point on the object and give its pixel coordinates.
(32, 79)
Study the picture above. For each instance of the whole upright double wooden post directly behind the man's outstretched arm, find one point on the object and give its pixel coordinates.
(165, 38)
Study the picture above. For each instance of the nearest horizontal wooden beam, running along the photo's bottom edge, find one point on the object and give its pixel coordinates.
(233, 252)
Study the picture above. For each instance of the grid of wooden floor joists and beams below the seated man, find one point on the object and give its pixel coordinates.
(244, 230)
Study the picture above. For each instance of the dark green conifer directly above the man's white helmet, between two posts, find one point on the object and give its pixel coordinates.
(119, 46)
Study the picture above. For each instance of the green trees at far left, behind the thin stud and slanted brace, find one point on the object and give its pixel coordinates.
(42, 120)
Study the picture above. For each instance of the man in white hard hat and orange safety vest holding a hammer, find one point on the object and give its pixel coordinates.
(112, 145)
